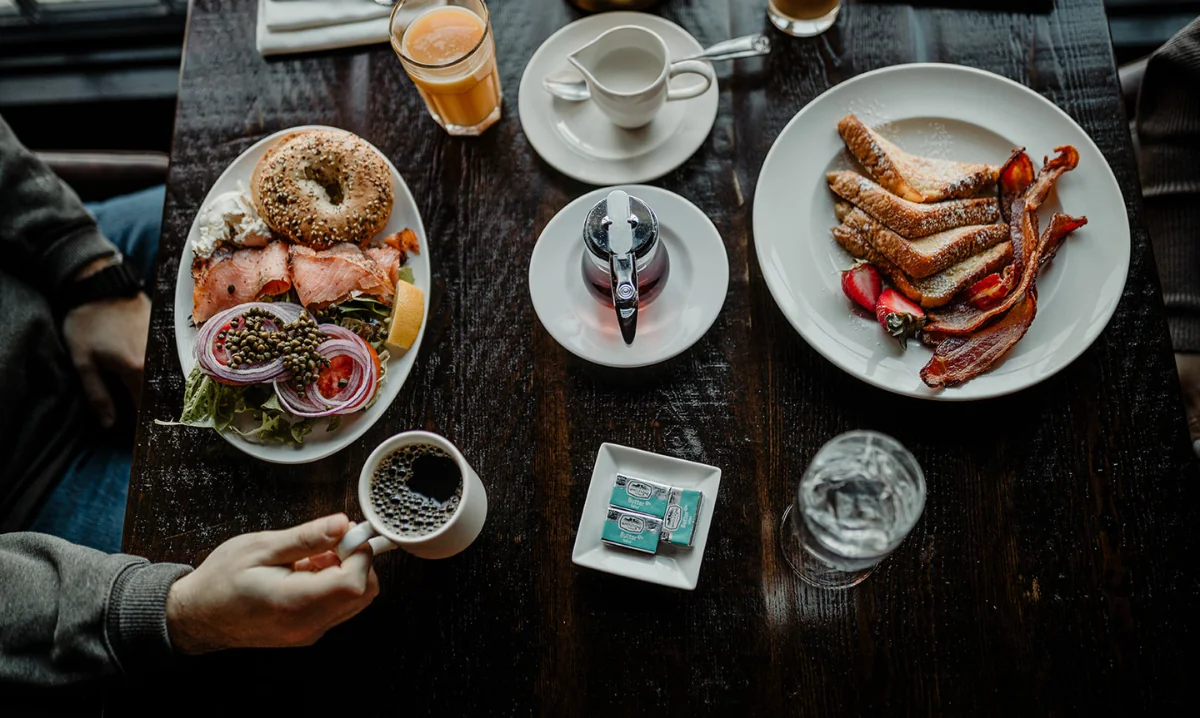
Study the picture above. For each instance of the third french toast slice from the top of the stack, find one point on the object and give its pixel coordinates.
(929, 255)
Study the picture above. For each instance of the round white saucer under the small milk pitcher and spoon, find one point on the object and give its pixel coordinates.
(579, 141)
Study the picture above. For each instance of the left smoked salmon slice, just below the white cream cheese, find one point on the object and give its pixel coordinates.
(229, 279)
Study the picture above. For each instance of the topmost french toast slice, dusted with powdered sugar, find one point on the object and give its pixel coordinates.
(913, 177)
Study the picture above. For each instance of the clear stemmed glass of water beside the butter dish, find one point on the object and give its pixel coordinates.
(856, 504)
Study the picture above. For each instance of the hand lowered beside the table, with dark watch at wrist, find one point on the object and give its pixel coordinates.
(109, 337)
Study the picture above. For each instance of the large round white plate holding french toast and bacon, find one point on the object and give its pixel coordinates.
(950, 112)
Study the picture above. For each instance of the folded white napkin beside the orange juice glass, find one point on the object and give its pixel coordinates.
(309, 26)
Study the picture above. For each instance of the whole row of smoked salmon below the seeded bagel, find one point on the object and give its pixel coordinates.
(321, 279)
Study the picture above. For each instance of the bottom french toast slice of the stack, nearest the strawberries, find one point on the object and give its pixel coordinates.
(937, 290)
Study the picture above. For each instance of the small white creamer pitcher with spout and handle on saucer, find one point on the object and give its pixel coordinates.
(628, 71)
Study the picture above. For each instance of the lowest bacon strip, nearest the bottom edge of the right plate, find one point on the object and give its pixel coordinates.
(959, 360)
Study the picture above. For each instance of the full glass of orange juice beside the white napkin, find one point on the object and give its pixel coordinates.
(448, 51)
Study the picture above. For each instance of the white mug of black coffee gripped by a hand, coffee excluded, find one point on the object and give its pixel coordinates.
(451, 538)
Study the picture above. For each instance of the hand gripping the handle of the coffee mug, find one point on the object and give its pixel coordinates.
(272, 589)
